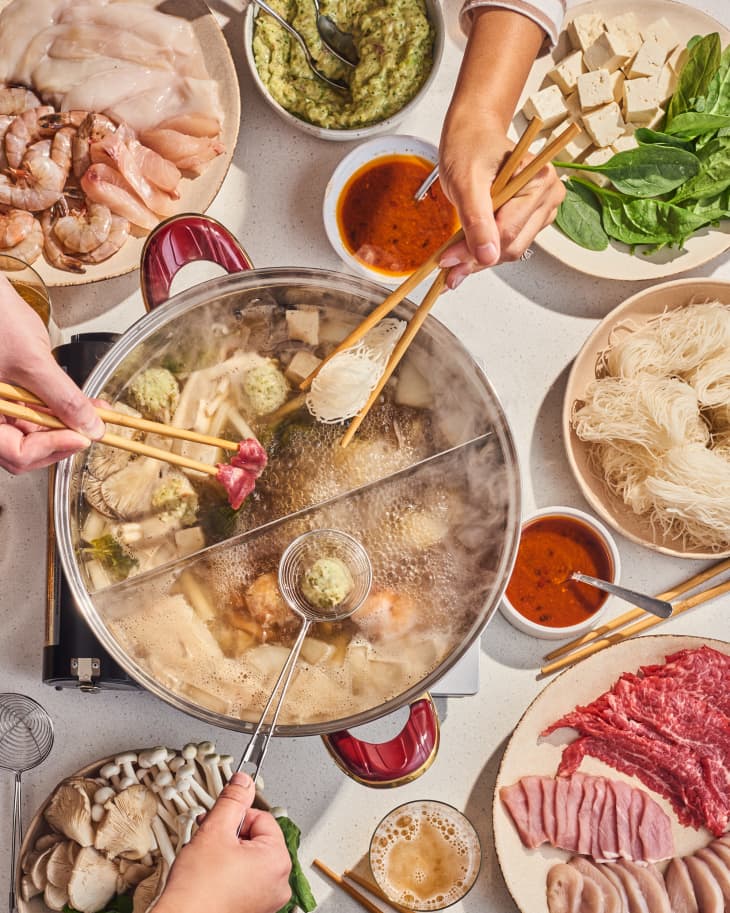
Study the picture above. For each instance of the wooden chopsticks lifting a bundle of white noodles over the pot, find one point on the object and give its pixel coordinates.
(504, 188)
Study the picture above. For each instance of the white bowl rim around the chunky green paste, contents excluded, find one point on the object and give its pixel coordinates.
(435, 14)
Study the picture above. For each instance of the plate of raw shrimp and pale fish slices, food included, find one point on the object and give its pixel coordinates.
(113, 116)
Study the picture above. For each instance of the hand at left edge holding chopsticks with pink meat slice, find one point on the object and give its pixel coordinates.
(26, 359)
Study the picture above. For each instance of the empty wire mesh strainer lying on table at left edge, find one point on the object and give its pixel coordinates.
(26, 738)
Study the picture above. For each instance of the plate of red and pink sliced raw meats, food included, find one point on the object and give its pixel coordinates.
(612, 793)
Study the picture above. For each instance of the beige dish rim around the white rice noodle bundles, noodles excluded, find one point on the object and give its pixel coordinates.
(639, 309)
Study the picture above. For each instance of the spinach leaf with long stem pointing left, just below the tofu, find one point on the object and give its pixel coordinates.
(646, 171)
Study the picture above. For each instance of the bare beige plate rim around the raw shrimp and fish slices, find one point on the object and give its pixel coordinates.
(196, 194)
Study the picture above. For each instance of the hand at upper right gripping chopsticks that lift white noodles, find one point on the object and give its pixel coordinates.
(473, 148)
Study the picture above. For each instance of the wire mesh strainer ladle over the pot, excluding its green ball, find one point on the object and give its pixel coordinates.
(297, 558)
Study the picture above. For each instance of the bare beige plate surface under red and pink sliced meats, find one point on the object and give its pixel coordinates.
(525, 871)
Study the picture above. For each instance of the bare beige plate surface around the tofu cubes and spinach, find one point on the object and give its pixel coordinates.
(616, 262)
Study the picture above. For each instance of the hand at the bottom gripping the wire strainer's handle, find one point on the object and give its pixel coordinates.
(230, 873)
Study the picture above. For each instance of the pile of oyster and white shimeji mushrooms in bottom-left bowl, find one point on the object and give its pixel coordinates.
(119, 832)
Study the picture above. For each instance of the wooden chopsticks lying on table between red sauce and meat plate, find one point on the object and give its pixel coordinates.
(636, 620)
